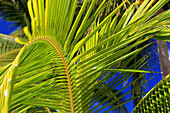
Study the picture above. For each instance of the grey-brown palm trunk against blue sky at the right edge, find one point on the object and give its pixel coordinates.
(163, 58)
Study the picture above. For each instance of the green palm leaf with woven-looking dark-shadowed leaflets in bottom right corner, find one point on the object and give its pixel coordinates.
(157, 99)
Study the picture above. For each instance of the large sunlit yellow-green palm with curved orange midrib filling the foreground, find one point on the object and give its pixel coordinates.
(62, 60)
